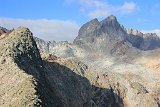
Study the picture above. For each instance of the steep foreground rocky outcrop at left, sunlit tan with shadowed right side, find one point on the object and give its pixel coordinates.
(21, 70)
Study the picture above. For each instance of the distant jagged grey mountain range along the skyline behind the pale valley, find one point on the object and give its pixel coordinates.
(104, 37)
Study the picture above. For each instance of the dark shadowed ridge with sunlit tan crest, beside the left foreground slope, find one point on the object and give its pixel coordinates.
(78, 93)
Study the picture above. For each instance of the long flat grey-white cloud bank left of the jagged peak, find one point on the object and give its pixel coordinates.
(46, 29)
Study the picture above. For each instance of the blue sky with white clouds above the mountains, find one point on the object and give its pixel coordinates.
(61, 19)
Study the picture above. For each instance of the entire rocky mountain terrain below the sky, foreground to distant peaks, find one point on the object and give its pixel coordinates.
(107, 65)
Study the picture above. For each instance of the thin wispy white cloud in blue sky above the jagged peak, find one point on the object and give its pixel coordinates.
(98, 8)
